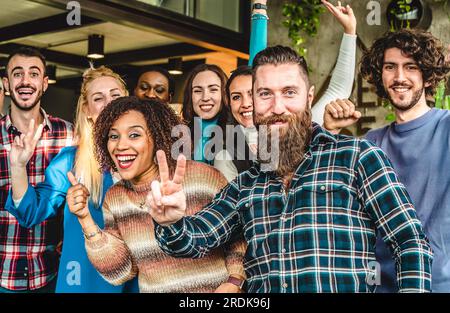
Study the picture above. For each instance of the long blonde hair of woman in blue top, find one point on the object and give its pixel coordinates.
(86, 168)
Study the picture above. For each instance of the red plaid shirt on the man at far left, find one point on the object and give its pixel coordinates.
(28, 257)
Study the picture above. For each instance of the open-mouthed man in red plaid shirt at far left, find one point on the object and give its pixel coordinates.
(28, 257)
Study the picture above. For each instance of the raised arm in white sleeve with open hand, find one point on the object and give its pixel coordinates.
(340, 86)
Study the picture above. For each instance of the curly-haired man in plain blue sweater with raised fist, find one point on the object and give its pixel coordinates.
(405, 67)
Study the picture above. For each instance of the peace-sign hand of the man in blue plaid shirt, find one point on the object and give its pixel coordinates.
(167, 200)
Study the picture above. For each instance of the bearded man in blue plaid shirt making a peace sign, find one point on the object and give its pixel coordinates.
(310, 222)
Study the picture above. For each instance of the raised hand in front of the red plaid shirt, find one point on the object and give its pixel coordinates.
(22, 148)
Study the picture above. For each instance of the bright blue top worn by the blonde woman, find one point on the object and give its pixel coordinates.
(76, 273)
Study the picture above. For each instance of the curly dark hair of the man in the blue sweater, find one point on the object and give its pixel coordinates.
(420, 45)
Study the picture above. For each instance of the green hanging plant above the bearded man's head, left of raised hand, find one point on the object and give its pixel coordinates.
(302, 18)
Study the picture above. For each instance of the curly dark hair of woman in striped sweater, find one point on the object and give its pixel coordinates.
(160, 120)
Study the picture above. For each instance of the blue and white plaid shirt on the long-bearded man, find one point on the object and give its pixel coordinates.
(319, 235)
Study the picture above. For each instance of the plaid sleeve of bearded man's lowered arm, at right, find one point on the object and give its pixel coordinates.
(388, 203)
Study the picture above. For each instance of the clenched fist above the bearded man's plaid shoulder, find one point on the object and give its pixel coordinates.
(339, 114)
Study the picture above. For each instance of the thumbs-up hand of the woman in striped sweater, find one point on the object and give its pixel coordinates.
(77, 198)
